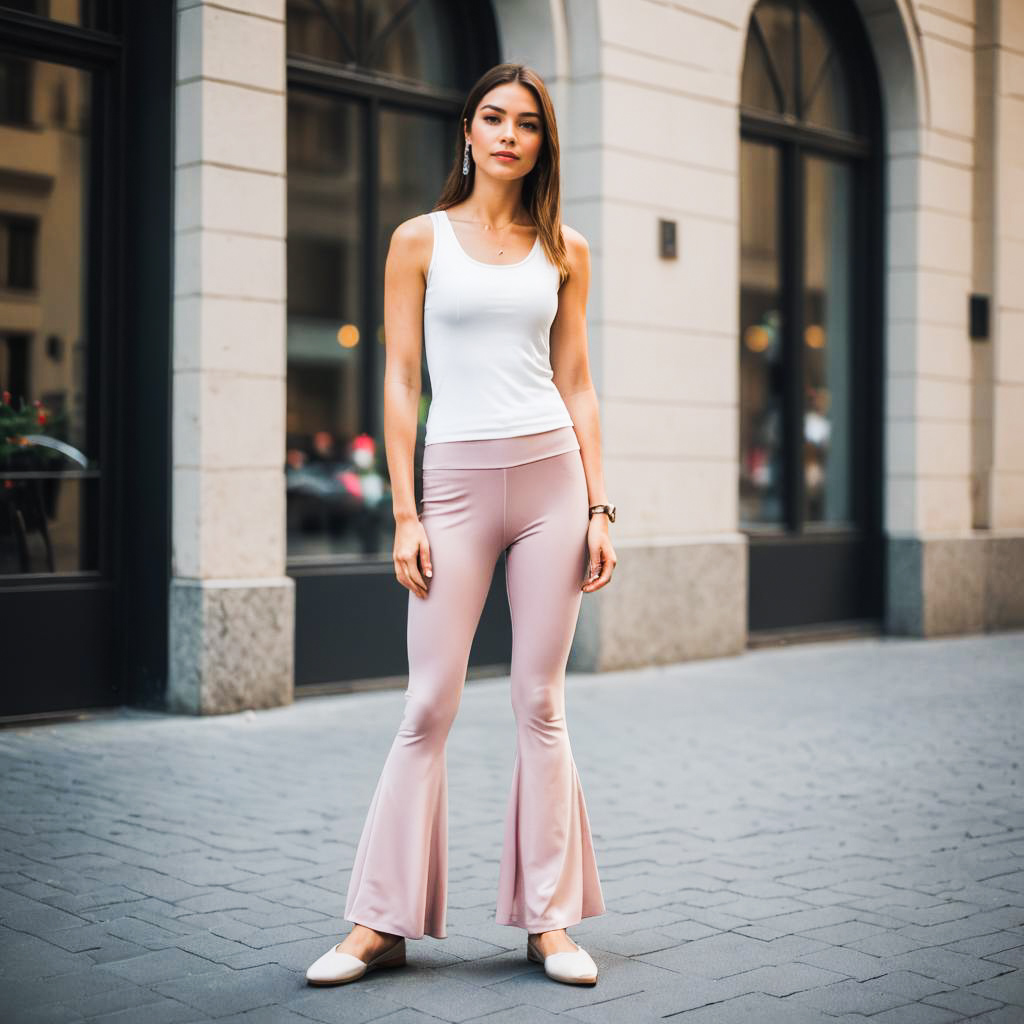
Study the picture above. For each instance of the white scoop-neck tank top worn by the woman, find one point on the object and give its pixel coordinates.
(487, 333)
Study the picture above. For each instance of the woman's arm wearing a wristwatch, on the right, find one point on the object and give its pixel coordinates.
(571, 364)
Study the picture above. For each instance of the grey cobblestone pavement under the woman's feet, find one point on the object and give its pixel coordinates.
(824, 833)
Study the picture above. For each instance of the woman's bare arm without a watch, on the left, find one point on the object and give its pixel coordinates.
(405, 285)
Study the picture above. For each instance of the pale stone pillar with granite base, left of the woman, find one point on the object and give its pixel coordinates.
(232, 608)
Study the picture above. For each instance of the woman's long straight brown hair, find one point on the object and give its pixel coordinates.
(542, 188)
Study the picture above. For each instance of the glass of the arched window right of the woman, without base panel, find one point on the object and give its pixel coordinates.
(799, 158)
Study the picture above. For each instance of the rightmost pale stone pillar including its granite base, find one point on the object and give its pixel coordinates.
(933, 573)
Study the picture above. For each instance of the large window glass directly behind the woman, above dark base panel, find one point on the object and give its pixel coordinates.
(374, 95)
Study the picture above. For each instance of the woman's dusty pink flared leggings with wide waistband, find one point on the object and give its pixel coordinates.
(528, 496)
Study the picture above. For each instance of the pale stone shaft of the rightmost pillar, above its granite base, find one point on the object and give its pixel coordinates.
(929, 228)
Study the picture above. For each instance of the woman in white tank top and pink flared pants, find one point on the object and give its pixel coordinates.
(498, 290)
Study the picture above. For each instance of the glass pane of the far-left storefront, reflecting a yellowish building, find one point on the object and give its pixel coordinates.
(49, 470)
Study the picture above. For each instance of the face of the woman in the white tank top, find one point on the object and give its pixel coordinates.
(507, 120)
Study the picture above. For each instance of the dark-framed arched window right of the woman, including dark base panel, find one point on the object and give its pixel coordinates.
(809, 345)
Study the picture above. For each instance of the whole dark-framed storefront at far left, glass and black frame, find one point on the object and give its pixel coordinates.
(86, 234)
